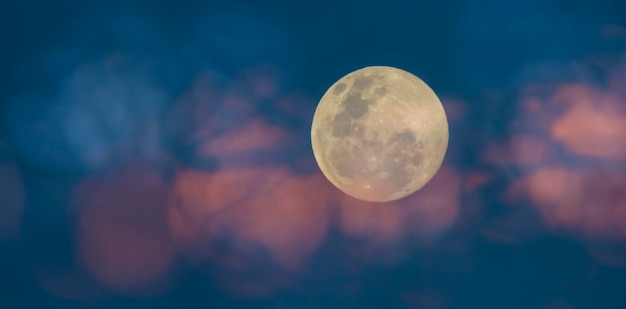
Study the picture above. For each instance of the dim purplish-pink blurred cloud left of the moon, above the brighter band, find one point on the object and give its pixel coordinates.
(249, 119)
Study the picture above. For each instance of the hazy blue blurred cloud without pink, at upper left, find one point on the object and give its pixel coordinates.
(101, 116)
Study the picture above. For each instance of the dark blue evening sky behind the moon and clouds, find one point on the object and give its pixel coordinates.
(483, 52)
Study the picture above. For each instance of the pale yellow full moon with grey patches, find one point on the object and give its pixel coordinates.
(379, 134)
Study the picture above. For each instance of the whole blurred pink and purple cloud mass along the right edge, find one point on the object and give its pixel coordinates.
(566, 158)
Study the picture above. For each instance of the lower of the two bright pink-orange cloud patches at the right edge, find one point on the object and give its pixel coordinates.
(580, 200)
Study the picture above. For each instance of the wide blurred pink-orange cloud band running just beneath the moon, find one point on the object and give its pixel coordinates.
(251, 219)
